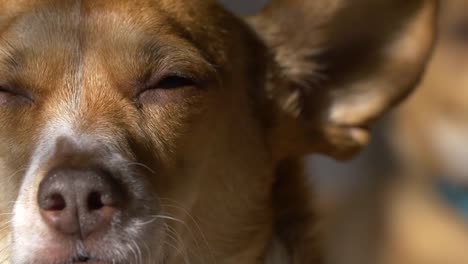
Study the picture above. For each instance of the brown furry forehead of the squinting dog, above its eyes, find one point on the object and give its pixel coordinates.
(66, 31)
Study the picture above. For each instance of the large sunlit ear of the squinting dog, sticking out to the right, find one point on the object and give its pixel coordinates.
(337, 65)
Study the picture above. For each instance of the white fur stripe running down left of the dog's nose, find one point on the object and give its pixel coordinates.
(29, 232)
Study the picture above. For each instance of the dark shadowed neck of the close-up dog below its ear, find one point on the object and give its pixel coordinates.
(296, 225)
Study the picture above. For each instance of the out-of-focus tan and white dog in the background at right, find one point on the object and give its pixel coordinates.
(418, 214)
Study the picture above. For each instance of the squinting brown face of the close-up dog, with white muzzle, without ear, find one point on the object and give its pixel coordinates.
(122, 96)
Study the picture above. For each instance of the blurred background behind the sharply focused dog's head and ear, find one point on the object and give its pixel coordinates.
(405, 199)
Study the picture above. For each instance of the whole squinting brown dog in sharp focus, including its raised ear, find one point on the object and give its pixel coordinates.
(171, 131)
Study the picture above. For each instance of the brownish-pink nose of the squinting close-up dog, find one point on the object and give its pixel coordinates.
(79, 203)
